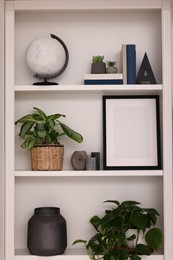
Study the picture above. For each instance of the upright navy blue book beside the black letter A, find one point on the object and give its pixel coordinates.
(131, 63)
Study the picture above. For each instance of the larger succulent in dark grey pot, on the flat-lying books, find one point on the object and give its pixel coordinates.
(98, 65)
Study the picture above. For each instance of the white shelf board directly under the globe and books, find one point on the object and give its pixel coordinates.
(88, 88)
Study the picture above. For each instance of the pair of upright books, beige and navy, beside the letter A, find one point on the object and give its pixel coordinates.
(129, 63)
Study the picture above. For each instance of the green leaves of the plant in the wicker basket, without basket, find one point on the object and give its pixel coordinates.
(39, 129)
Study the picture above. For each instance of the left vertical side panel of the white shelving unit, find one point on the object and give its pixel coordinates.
(9, 136)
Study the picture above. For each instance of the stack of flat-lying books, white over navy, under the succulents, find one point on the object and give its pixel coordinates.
(103, 79)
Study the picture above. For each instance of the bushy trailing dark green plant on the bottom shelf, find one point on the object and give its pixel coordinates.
(111, 241)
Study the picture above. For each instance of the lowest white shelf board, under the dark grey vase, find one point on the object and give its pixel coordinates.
(71, 254)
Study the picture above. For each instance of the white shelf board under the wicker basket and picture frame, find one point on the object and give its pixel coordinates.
(22, 173)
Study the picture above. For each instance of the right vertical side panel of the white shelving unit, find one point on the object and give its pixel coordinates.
(167, 133)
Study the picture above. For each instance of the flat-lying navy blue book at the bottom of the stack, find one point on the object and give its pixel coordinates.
(103, 81)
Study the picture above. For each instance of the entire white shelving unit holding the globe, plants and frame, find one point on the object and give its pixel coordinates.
(89, 28)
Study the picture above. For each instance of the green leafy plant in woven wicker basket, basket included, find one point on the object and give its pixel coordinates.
(41, 134)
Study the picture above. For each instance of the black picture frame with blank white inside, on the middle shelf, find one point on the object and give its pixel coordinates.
(131, 132)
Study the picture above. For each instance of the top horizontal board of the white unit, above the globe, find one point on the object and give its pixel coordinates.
(89, 5)
